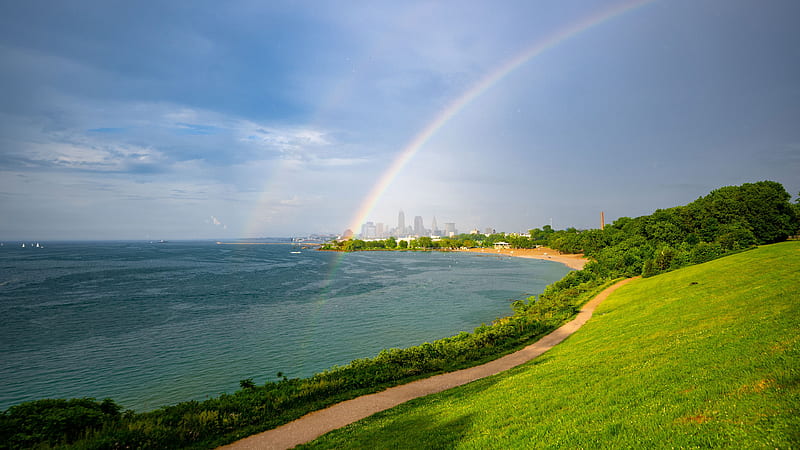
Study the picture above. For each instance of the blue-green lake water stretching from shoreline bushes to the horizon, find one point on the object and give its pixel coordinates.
(155, 324)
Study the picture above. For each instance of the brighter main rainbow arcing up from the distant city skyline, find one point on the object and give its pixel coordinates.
(474, 92)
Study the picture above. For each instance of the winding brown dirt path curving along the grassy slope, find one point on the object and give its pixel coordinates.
(315, 424)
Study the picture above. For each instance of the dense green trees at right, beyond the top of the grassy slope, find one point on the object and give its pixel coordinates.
(727, 220)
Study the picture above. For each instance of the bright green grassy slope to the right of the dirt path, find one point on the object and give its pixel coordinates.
(663, 363)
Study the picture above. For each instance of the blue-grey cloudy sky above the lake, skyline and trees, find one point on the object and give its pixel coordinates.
(201, 119)
